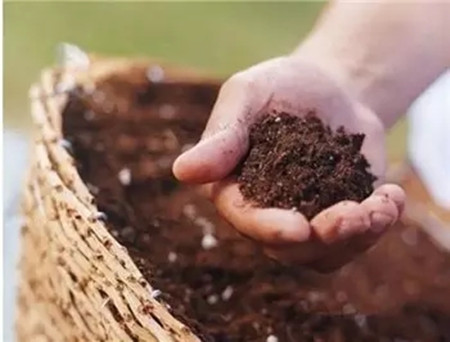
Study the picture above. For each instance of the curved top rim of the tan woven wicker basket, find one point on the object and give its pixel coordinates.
(48, 99)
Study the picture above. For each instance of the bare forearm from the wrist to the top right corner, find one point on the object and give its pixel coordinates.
(386, 54)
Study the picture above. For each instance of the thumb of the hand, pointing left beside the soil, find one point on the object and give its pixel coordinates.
(225, 139)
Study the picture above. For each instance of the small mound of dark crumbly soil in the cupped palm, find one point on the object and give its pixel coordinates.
(300, 163)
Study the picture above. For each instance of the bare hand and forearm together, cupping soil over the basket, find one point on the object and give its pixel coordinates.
(363, 87)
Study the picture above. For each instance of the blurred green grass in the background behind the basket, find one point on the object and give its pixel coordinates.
(218, 37)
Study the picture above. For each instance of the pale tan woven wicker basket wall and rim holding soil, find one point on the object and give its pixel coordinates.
(77, 282)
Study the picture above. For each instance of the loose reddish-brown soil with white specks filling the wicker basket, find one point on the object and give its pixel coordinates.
(125, 137)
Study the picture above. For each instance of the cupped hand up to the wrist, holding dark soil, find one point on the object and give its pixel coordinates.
(291, 85)
